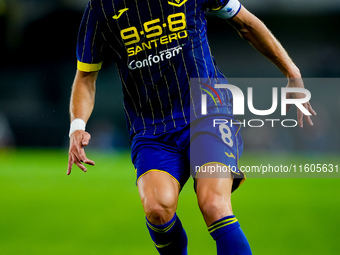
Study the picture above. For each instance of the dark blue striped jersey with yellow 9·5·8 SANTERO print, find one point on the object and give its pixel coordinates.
(158, 46)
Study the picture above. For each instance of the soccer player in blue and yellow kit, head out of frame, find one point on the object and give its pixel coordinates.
(159, 46)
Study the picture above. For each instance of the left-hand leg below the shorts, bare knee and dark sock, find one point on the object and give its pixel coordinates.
(159, 194)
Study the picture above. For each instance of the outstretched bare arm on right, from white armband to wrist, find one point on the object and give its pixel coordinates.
(258, 35)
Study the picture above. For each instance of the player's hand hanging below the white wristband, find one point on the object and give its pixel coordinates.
(78, 140)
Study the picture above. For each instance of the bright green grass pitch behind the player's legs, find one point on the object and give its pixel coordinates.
(43, 211)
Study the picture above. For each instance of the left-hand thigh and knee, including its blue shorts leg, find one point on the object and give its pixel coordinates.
(160, 176)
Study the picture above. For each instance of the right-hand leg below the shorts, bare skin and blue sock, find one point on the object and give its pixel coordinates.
(213, 195)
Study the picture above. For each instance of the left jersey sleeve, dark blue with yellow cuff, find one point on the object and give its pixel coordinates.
(90, 43)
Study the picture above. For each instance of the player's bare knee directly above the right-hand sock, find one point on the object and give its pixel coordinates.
(214, 207)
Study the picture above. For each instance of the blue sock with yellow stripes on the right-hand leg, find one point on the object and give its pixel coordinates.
(229, 237)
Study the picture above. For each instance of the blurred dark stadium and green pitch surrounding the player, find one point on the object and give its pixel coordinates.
(44, 212)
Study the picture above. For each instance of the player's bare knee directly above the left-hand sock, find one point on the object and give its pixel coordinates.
(160, 211)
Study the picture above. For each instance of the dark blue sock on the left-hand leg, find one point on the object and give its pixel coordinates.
(169, 238)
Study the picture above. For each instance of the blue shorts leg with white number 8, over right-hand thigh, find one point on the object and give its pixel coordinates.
(215, 151)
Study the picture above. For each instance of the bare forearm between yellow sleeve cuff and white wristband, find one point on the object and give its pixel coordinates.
(83, 95)
